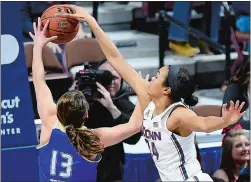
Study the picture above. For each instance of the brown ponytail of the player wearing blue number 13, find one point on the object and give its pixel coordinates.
(85, 142)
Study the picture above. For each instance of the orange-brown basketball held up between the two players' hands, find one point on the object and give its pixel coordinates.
(65, 28)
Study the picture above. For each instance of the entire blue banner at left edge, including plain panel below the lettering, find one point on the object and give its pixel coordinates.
(18, 131)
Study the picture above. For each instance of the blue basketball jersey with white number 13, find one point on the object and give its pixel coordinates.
(59, 161)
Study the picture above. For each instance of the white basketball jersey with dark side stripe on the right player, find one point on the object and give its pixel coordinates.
(174, 155)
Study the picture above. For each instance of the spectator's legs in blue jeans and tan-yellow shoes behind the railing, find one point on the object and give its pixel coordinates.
(178, 37)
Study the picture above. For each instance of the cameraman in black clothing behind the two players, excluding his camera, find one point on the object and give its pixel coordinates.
(108, 112)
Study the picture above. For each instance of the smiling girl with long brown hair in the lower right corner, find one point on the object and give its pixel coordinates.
(235, 157)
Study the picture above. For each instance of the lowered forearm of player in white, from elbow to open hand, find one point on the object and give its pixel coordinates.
(213, 123)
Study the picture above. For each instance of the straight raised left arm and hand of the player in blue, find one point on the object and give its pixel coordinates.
(45, 105)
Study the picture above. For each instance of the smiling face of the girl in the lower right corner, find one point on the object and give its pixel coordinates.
(240, 148)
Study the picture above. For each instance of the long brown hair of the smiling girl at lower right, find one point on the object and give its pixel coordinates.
(227, 162)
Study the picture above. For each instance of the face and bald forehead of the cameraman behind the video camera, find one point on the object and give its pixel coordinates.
(114, 87)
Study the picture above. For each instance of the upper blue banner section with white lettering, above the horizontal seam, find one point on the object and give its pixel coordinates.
(17, 117)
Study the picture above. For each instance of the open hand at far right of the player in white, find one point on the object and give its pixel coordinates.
(233, 114)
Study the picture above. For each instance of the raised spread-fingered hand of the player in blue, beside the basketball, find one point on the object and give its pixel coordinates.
(39, 37)
